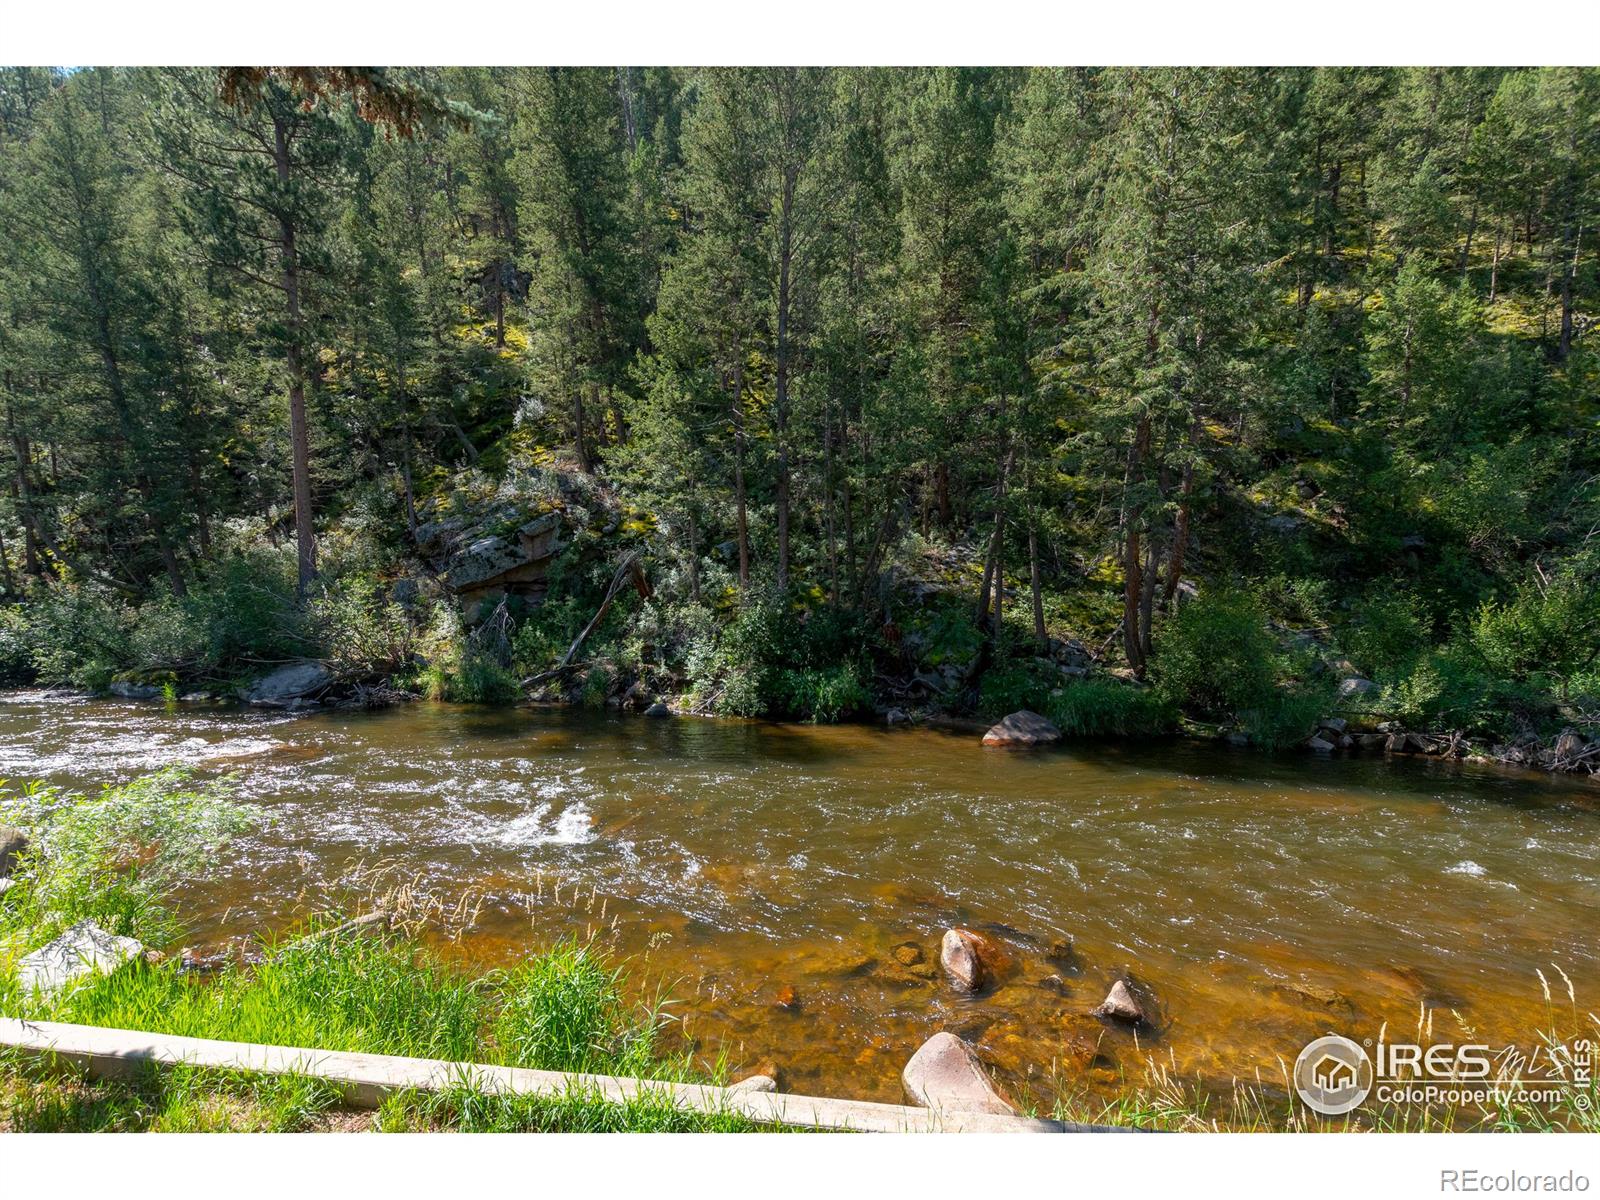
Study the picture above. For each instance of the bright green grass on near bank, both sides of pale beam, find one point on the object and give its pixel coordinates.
(559, 1010)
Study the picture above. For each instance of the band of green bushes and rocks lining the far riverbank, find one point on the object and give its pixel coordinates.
(551, 590)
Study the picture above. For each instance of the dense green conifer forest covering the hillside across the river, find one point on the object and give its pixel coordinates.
(1225, 398)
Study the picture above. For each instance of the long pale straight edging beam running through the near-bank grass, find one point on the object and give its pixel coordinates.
(366, 1079)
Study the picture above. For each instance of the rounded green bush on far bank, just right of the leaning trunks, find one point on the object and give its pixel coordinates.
(1215, 655)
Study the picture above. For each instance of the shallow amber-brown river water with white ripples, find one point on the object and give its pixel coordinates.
(772, 874)
